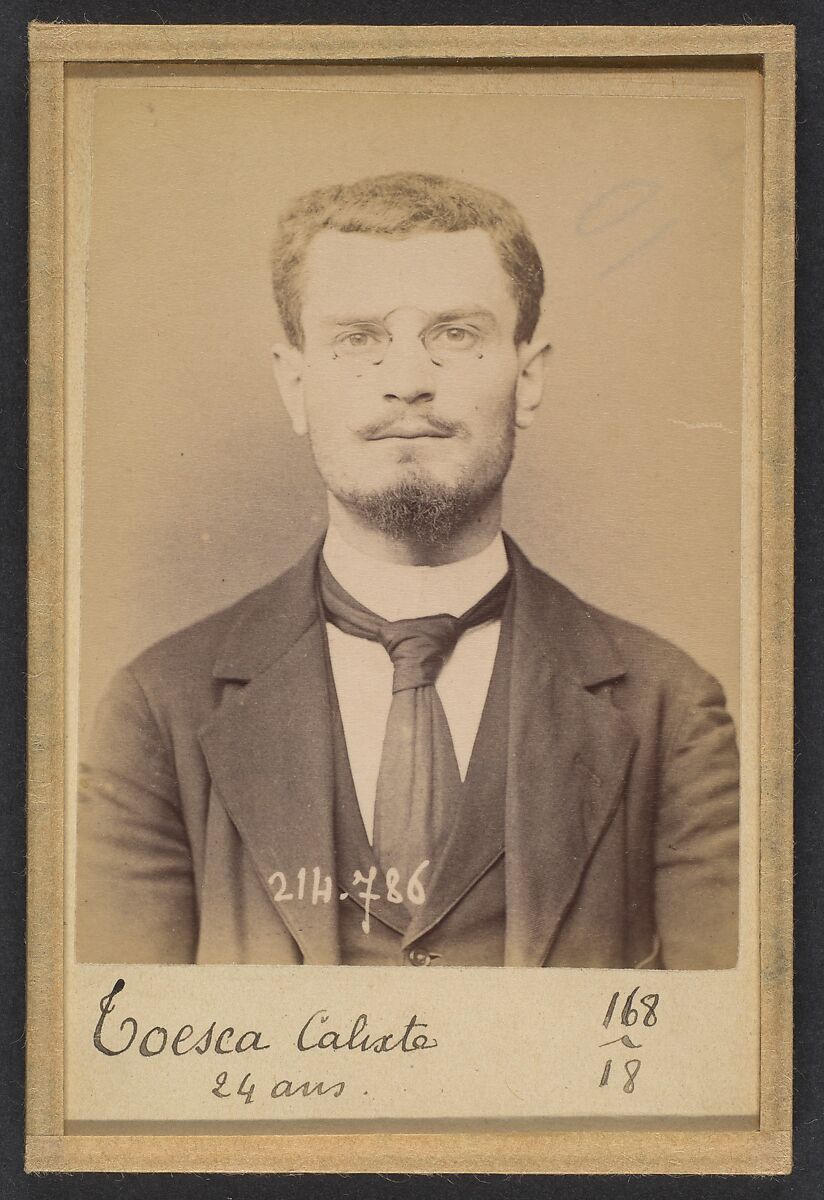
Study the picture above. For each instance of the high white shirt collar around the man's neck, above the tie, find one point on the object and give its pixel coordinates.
(399, 592)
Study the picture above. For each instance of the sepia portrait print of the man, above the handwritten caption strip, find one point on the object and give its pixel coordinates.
(410, 579)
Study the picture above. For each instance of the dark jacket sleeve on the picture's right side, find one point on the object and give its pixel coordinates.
(696, 835)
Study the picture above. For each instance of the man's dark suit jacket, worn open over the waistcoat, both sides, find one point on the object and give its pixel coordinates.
(212, 769)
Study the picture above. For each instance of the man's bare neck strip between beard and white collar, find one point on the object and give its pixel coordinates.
(466, 543)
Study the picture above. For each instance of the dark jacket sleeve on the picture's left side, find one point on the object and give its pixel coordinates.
(136, 899)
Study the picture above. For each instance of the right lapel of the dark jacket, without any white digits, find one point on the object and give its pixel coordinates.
(570, 753)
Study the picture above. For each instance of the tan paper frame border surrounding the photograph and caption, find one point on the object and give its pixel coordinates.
(765, 1151)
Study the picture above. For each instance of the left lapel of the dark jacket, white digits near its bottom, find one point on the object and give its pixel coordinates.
(269, 751)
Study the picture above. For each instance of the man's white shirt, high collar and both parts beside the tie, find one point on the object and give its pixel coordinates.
(364, 671)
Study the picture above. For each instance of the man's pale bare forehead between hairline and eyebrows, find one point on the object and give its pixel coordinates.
(425, 271)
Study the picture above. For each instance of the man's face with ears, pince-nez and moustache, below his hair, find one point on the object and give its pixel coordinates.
(410, 374)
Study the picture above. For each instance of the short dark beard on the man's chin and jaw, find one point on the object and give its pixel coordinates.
(424, 511)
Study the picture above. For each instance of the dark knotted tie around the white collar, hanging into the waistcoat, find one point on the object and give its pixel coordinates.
(419, 783)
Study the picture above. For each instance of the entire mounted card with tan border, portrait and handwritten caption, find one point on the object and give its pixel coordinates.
(336, 332)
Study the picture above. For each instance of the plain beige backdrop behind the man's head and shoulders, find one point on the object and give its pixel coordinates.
(627, 489)
